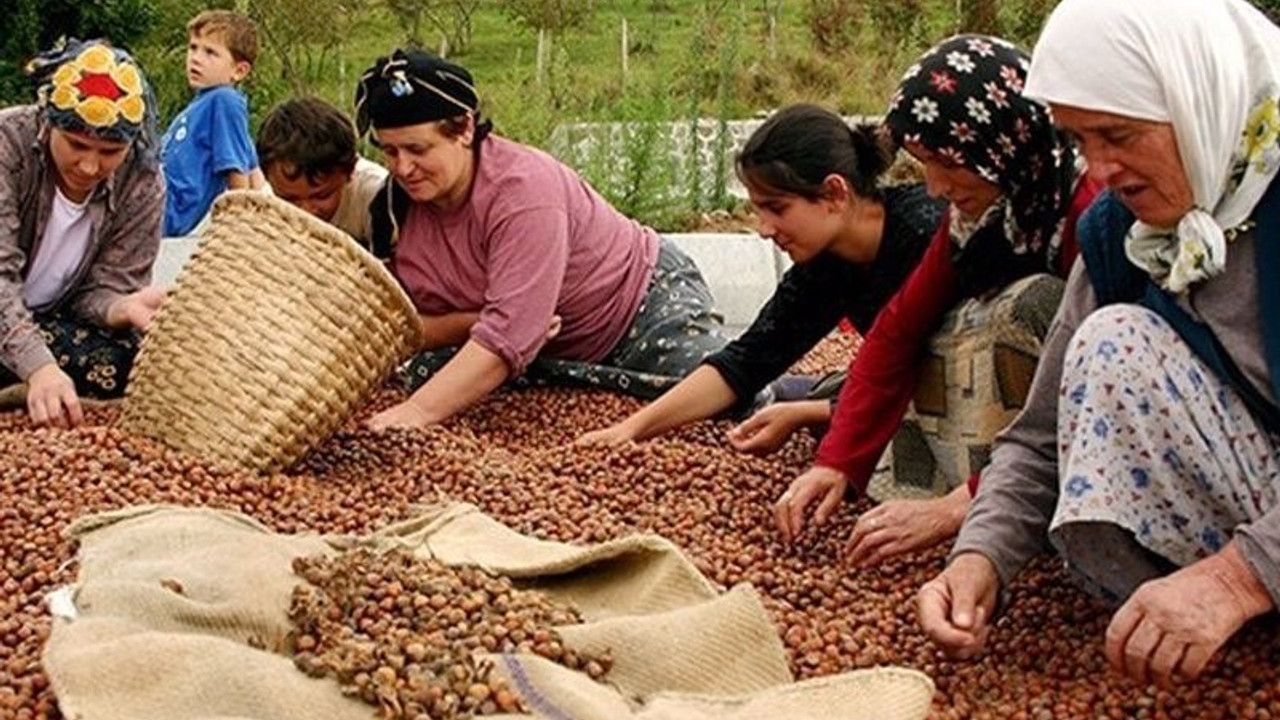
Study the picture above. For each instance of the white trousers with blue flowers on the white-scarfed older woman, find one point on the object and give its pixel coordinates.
(1153, 441)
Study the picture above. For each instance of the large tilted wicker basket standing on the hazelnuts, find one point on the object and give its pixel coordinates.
(276, 331)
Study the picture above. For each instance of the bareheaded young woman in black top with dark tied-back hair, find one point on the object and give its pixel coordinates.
(813, 184)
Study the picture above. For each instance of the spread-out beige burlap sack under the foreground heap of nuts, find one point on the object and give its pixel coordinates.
(171, 604)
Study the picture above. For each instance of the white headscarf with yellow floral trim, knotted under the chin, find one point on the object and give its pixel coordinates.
(1209, 67)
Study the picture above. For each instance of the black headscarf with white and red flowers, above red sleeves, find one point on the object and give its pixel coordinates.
(964, 101)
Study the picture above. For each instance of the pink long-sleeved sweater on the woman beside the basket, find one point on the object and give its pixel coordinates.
(533, 241)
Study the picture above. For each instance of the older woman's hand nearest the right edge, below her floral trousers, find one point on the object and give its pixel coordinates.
(1172, 627)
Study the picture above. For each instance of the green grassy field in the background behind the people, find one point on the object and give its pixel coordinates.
(676, 47)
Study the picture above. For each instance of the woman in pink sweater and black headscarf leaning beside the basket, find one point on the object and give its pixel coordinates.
(511, 256)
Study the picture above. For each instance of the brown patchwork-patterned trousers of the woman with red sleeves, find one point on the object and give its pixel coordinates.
(976, 377)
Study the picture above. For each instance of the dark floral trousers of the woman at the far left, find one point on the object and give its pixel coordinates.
(97, 359)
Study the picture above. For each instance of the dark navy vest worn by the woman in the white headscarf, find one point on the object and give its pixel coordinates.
(1101, 234)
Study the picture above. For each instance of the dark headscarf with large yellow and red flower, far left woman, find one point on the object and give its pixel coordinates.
(94, 89)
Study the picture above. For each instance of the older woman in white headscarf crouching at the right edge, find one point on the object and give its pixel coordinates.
(1149, 453)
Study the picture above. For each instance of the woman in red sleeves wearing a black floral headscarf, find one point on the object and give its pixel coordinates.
(1014, 189)
